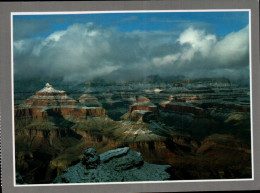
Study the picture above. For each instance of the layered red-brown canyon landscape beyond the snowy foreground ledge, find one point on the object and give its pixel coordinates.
(200, 129)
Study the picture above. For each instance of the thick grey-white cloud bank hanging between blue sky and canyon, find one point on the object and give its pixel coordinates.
(86, 51)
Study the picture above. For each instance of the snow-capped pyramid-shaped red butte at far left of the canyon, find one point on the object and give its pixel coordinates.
(51, 101)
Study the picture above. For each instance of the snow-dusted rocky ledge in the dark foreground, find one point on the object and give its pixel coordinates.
(119, 165)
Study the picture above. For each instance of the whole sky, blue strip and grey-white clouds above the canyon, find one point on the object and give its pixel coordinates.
(131, 46)
